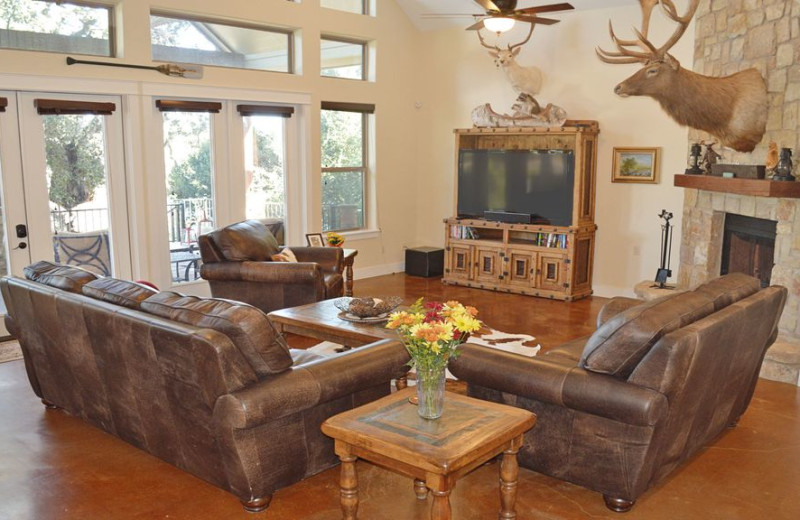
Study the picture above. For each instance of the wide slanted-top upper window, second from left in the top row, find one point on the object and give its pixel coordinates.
(209, 42)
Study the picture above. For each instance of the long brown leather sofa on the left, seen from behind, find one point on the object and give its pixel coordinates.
(204, 384)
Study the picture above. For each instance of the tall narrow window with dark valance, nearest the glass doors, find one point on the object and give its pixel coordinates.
(189, 166)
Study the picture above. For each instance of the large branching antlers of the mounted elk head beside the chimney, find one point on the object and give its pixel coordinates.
(627, 55)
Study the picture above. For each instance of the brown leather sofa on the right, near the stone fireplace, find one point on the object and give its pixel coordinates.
(657, 382)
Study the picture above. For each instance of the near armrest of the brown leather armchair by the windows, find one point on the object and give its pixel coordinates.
(268, 272)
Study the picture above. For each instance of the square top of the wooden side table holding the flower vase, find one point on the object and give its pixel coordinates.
(468, 430)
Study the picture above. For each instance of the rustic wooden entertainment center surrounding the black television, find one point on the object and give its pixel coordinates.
(535, 259)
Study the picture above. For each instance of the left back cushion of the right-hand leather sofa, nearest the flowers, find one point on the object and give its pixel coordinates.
(622, 341)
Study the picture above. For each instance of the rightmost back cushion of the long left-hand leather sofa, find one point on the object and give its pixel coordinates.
(247, 327)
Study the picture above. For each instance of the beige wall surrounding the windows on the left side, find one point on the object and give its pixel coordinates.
(392, 92)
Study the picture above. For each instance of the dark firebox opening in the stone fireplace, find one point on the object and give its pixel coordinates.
(748, 246)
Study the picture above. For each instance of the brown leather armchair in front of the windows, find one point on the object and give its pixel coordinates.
(237, 264)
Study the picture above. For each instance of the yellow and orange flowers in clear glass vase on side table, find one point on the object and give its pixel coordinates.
(432, 333)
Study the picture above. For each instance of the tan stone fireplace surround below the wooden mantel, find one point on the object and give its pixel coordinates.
(701, 253)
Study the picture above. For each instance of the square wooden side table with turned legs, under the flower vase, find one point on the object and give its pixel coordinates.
(435, 453)
